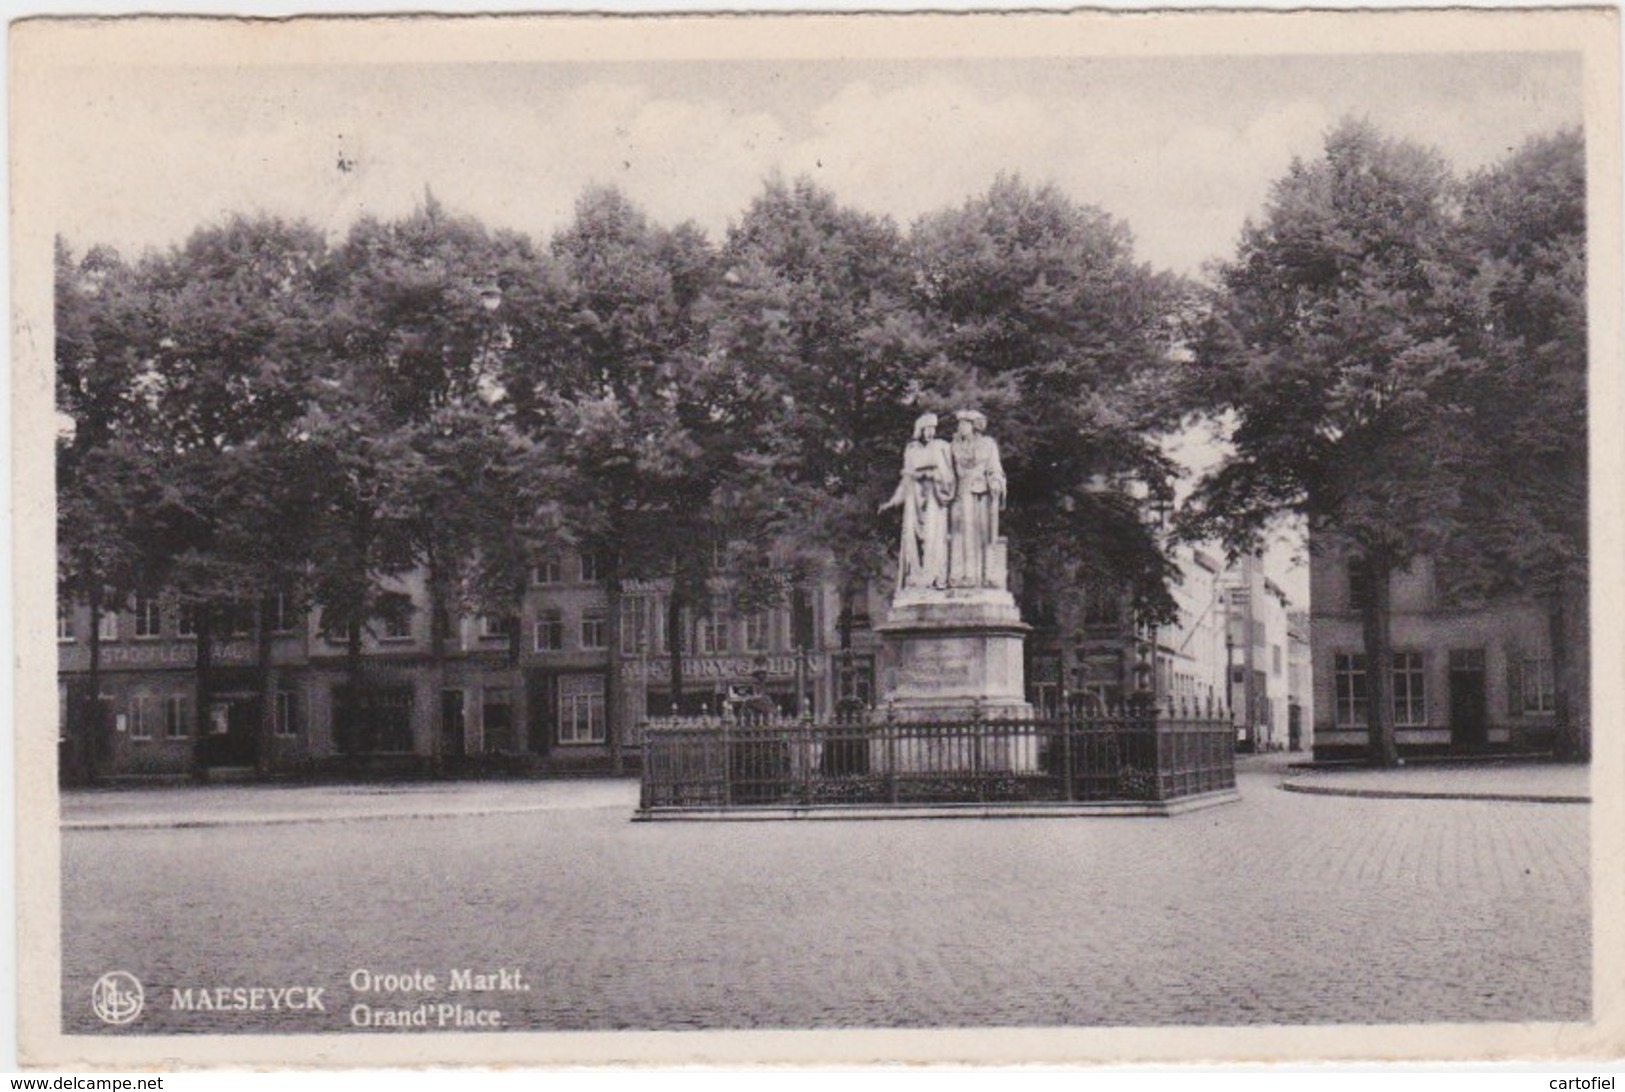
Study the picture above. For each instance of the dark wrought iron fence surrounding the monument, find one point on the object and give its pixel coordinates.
(1070, 756)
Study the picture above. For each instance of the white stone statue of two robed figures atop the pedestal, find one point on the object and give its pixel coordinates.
(951, 496)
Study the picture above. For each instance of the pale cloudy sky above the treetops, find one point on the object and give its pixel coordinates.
(1184, 149)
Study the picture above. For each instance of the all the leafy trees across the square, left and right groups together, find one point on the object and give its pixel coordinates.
(1402, 358)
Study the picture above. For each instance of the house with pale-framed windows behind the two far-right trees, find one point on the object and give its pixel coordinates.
(1465, 678)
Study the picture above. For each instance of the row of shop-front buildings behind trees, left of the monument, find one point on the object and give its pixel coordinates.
(537, 698)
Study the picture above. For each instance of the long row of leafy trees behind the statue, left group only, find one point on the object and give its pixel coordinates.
(258, 412)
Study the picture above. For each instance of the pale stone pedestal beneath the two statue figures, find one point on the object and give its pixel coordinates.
(958, 659)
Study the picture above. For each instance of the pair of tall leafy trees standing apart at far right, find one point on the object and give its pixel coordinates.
(1403, 358)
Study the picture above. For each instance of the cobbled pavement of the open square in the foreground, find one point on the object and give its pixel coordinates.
(1283, 909)
